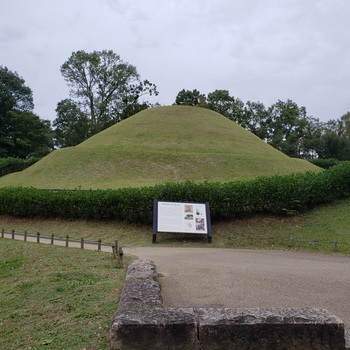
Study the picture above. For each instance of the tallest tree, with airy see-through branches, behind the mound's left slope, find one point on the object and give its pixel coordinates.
(102, 83)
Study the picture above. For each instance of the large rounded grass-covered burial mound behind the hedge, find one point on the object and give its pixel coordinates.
(175, 143)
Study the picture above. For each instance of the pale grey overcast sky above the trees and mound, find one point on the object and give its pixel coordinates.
(259, 50)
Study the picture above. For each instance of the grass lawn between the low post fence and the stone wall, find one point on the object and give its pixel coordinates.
(56, 298)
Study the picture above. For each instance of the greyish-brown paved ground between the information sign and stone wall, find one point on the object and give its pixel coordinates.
(251, 278)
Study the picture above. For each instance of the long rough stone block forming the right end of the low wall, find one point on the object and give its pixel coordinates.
(270, 329)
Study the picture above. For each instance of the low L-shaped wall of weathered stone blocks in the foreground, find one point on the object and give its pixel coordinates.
(142, 323)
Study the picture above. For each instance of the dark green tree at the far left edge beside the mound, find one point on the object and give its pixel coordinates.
(22, 133)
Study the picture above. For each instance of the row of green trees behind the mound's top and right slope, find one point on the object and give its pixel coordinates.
(284, 125)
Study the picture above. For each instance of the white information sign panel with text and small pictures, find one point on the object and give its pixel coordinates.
(182, 217)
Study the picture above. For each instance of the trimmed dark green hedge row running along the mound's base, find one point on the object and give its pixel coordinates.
(276, 195)
